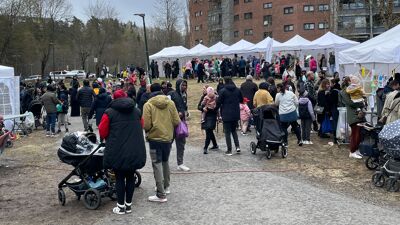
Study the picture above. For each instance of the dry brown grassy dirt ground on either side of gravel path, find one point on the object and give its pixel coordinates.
(30, 172)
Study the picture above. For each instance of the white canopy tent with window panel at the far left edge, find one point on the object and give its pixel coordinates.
(9, 92)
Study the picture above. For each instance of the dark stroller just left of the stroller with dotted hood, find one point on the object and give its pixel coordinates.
(369, 146)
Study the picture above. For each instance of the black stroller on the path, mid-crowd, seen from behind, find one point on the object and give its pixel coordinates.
(269, 132)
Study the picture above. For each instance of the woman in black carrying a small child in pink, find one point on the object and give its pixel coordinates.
(210, 121)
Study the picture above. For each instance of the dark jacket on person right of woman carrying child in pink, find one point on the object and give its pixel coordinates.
(229, 102)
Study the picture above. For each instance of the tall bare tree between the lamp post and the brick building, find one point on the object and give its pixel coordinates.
(168, 18)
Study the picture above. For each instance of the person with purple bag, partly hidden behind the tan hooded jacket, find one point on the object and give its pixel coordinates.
(179, 97)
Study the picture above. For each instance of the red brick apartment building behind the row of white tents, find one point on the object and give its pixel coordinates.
(253, 20)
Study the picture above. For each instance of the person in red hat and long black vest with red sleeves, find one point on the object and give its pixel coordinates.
(125, 149)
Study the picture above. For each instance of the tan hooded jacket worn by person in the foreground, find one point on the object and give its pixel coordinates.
(160, 118)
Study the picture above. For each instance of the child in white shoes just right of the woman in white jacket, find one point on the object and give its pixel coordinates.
(306, 114)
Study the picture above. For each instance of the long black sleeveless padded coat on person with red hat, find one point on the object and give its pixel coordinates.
(125, 146)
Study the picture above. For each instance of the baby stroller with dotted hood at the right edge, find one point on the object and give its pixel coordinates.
(389, 173)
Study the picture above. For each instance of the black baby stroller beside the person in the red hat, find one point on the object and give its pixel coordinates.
(90, 179)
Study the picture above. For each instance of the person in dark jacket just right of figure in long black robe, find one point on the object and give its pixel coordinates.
(85, 98)
